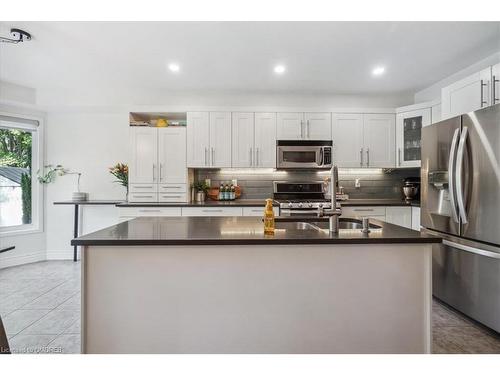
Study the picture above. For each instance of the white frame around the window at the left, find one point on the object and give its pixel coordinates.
(37, 189)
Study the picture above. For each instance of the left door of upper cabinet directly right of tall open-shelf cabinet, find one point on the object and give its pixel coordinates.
(198, 130)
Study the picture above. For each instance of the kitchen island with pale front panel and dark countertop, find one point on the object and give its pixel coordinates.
(219, 285)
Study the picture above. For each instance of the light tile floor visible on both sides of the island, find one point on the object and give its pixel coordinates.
(40, 307)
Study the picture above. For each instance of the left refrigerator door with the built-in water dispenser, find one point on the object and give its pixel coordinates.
(439, 210)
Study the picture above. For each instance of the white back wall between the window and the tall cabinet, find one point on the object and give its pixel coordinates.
(87, 143)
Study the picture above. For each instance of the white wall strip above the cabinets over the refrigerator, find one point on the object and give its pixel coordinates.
(434, 92)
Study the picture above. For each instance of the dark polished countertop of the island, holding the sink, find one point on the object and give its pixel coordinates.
(151, 231)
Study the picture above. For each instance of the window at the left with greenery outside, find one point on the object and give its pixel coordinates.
(19, 187)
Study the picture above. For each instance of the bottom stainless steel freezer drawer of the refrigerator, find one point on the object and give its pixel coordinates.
(466, 275)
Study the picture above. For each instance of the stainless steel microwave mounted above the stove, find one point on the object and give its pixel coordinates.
(304, 154)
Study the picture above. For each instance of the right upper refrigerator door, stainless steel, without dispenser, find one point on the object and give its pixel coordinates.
(478, 175)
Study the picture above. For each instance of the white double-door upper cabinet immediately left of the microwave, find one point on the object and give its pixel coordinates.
(254, 140)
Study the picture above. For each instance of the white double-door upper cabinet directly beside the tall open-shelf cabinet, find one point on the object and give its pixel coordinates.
(208, 139)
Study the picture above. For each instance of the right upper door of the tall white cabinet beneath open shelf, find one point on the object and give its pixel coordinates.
(172, 155)
